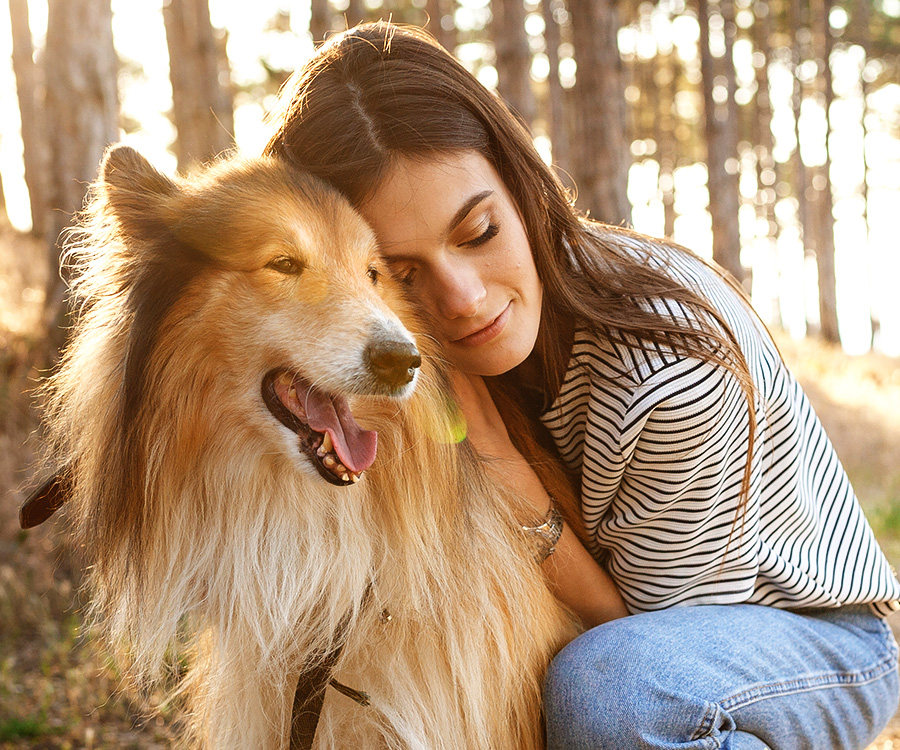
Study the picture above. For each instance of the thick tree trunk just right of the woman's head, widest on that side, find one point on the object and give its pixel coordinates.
(600, 152)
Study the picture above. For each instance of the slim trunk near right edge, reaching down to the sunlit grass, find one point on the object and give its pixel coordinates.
(824, 196)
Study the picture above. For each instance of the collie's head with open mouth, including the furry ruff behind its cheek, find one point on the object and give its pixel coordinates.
(240, 311)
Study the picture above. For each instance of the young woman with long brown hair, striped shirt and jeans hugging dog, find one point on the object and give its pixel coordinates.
(709, 507)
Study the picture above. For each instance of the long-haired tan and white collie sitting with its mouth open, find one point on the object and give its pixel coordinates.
(237, 354)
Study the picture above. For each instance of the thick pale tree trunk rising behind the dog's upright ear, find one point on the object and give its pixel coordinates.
(82, 102)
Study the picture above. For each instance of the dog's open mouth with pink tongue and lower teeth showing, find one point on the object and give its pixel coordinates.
(338, 447)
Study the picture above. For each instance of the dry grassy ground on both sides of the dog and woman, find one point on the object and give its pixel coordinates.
(57, 690)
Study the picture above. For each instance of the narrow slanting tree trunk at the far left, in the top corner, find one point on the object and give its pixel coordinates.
(29, 93)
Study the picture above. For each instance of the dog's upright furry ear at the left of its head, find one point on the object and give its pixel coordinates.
(139, 197)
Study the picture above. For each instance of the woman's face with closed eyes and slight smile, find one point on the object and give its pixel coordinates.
(451, 232)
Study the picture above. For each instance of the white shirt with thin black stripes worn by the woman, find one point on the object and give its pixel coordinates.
(660, 442)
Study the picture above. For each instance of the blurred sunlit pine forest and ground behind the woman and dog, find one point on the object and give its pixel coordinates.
(762, 133)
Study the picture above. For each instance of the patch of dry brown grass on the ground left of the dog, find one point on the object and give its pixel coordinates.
(56, 689)
